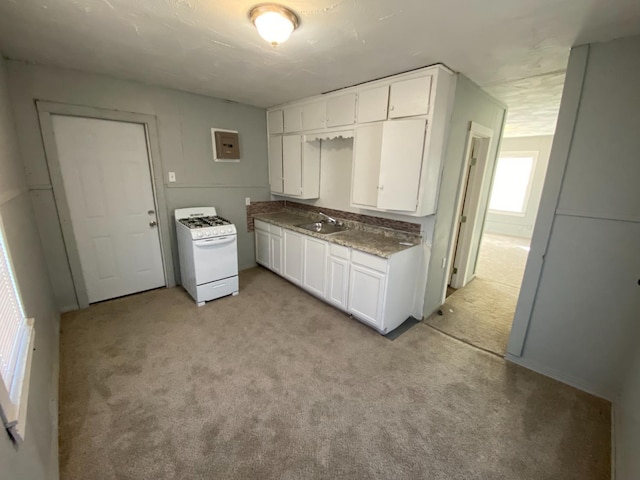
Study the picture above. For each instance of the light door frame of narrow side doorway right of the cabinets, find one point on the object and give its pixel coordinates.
(474, 191)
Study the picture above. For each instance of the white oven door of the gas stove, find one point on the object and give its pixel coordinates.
(215, 258)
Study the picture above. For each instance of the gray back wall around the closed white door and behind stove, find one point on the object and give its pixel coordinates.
(184, 126)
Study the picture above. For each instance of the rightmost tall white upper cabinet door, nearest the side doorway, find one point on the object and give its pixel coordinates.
(401, 164)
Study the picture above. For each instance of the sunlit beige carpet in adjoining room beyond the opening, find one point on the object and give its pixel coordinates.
(481, 313)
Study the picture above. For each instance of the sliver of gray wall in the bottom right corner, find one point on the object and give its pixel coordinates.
(627, 425)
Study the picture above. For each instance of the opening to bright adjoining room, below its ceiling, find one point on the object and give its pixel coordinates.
(486, 273)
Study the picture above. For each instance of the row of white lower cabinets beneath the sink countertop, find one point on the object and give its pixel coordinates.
(377, 291)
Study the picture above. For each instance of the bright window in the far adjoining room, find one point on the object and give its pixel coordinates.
(512, 182)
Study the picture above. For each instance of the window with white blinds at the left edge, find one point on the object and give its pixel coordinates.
(16, 337)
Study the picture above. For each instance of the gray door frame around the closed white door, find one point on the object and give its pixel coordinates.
(45, 111)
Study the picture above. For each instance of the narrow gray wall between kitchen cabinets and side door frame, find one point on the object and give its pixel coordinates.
(470, 104)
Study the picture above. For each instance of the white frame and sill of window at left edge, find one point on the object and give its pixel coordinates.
(14, 400)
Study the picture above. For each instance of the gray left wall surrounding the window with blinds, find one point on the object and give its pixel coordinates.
(37, 457)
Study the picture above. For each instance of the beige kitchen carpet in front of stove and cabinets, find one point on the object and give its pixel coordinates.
(274, 384)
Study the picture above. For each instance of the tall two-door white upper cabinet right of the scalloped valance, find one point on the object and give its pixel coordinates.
(387, 164)
